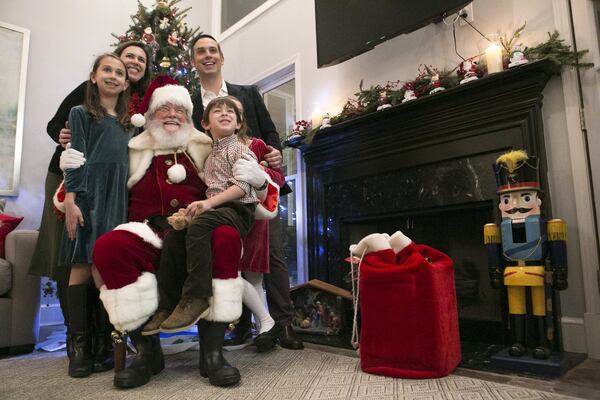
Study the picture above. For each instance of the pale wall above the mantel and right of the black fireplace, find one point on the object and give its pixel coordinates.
(287, 30)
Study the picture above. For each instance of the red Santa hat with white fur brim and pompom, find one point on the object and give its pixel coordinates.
(162, 90)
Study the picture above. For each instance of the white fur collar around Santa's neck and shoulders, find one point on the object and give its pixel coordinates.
(143, 148)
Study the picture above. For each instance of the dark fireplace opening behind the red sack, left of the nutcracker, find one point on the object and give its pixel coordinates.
(458, 232)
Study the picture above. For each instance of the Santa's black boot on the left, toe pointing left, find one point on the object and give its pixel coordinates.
(148, 361)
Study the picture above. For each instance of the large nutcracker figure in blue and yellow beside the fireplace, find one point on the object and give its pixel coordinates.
(526, 254)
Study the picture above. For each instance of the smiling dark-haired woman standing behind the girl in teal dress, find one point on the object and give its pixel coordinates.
(137, 58)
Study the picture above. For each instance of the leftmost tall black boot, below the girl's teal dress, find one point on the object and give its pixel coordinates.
(80, 359)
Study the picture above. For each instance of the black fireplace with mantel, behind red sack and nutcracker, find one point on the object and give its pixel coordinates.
(424, 167)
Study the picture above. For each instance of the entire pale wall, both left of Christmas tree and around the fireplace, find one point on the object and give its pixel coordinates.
(66, 33)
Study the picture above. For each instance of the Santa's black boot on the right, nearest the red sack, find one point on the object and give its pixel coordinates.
(212, 363)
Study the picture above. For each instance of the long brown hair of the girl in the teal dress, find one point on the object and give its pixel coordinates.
(92, 97)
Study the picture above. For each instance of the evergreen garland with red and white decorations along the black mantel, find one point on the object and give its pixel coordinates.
(393, 92)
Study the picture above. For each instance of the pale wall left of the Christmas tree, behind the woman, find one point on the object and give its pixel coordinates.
(65, 36)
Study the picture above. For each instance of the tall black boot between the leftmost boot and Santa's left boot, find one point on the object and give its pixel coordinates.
(102, 349)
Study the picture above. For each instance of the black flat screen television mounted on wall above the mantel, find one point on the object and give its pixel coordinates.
(347, 28)
